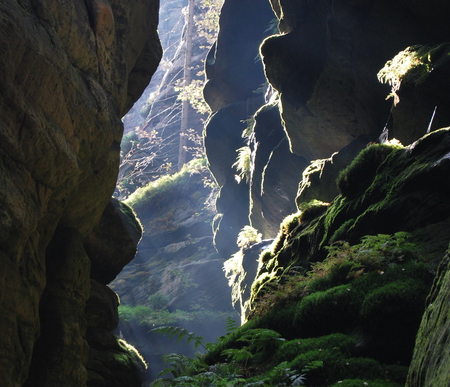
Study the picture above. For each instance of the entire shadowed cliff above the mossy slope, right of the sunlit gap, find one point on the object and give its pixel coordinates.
(323, 96)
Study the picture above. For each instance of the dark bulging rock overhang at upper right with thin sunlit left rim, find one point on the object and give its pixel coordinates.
(324, 65)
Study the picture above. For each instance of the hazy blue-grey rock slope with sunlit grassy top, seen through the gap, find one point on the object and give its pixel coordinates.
(177, 276)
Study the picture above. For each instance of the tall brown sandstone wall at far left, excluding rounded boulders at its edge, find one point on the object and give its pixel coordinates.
(68, 72)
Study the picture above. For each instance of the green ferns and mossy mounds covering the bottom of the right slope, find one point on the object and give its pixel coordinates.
(307, 328)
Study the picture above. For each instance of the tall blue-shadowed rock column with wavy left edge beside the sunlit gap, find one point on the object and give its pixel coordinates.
(234, 91)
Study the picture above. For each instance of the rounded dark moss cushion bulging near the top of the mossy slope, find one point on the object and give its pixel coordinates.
(358, 175)
